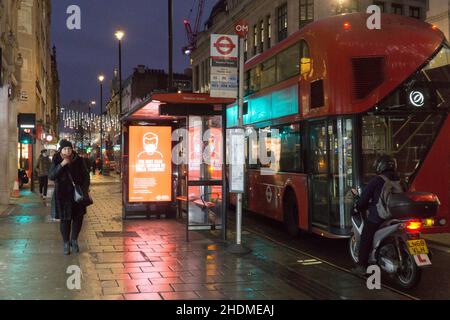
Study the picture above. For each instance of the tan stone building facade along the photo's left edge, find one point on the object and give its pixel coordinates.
(28, 84)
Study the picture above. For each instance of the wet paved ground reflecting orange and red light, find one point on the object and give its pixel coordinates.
(150, 259)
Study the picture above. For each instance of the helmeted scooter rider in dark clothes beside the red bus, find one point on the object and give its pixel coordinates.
(386, 166)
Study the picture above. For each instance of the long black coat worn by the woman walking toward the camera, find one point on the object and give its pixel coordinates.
(63, 205)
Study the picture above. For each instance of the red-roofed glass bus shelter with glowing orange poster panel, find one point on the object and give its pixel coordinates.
(173, 160)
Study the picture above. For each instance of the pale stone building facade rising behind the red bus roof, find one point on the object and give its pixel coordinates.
(271, 21)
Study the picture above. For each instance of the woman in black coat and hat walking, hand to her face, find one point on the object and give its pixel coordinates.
(67, 169)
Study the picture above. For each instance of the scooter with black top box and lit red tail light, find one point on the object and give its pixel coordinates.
(398, 248)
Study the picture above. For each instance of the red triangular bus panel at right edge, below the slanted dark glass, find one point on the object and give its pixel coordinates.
(434, 175)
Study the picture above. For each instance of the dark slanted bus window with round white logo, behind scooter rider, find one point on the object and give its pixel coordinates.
(406, 123)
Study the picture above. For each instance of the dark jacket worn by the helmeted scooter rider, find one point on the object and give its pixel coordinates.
(371, 195)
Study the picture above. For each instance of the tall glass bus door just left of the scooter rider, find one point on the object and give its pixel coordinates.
(331, 168)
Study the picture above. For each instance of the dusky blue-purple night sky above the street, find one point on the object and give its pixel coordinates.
(83, 54)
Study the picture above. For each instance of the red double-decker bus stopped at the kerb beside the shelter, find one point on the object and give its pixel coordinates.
(340, 95)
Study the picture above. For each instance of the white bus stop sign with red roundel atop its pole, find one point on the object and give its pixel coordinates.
(224, 66)
